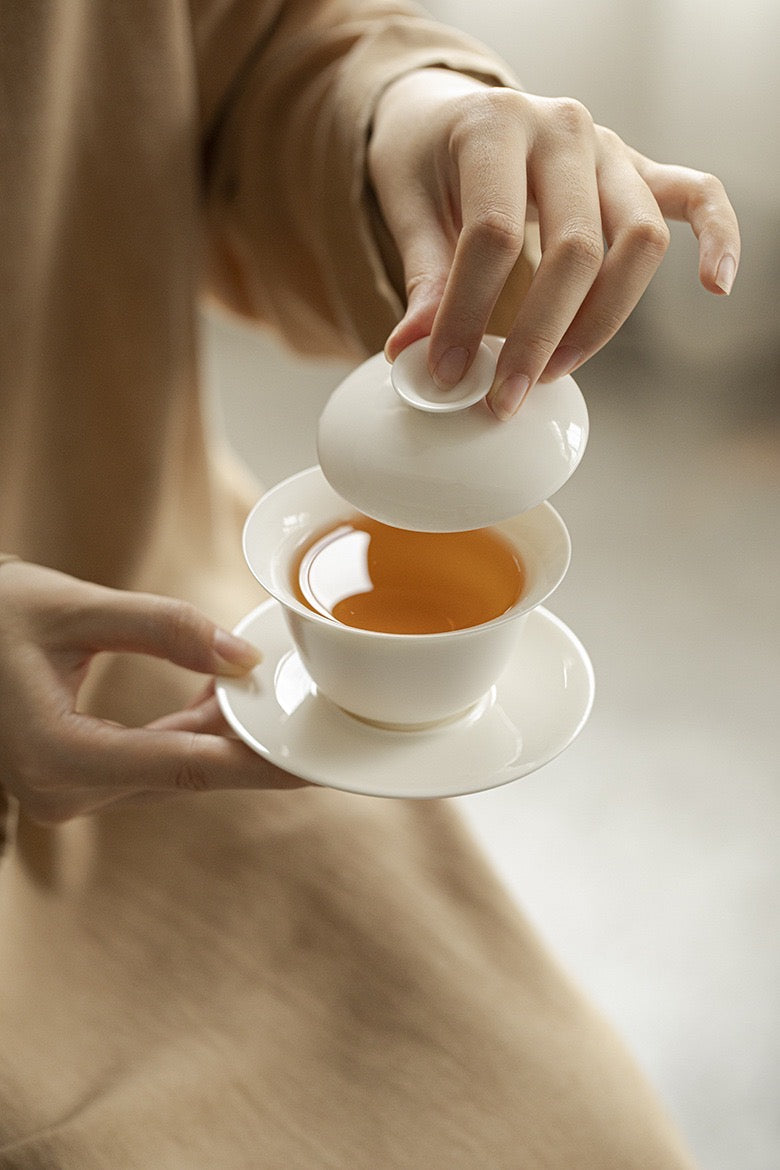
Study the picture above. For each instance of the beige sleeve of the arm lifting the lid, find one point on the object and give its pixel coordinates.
(288, 102)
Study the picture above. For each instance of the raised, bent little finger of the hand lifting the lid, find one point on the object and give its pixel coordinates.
(701, 201)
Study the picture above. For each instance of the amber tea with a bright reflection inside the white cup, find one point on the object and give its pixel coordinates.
(371, 576)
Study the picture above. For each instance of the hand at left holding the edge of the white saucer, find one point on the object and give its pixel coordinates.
(61, 763)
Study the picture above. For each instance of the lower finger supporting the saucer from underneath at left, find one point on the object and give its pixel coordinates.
(139, 760)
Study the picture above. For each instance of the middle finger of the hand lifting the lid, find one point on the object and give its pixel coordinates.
(562, 178)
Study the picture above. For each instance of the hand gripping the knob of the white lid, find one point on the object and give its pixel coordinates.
(459, 167)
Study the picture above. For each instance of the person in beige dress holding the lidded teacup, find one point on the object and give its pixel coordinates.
(204, 961)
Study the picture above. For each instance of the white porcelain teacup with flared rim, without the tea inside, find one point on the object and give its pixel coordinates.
(395, 679)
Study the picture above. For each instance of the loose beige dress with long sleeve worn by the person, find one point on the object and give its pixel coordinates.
(241, 981)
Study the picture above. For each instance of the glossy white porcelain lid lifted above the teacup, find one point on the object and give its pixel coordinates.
(438, 471)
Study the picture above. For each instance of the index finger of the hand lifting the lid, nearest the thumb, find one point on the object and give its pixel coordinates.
(492, 180)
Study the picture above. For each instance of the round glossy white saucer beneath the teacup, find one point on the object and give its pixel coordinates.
(533, 714)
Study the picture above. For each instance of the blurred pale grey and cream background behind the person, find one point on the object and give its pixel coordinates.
(647, 855)
